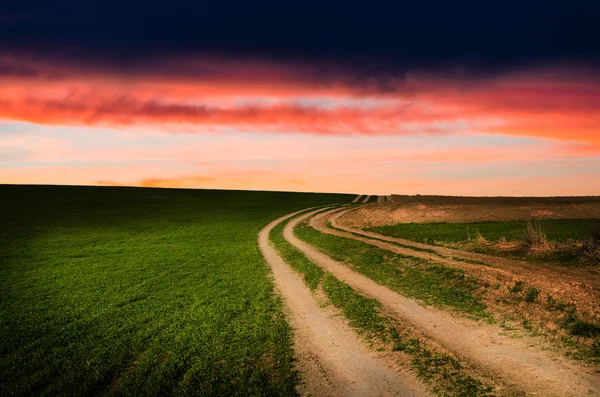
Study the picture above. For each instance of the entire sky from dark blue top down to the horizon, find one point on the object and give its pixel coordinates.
(429, 97)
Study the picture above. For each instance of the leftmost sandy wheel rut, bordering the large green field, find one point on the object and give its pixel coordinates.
(331, 358)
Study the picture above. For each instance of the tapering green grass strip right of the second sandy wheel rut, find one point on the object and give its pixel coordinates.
(434, 284)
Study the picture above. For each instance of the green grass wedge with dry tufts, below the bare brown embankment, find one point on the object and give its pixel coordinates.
(566, 241)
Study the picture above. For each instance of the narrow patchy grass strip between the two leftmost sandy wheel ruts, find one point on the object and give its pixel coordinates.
(364, 314)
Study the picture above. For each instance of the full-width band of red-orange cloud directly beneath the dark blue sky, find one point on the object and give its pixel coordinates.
(259, 96)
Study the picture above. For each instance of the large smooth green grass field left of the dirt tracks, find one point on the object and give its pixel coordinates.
(123, 291)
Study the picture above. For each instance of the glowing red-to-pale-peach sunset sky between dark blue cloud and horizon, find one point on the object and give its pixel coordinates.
(252, 122)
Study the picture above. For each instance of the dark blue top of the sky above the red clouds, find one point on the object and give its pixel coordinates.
(377, 37)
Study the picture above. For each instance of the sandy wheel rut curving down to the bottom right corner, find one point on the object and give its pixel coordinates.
(516, 361)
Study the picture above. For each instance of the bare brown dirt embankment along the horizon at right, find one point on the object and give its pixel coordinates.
(424, 209)
